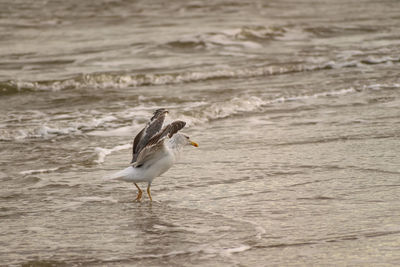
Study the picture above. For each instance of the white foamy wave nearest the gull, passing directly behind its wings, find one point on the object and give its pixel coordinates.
(122, 124)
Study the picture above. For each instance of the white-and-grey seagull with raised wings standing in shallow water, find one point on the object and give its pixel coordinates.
(155, 149)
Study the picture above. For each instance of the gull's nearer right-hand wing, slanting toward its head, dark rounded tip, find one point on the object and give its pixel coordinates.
(156, 144)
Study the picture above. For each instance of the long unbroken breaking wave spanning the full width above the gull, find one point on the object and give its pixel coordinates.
(125, 80)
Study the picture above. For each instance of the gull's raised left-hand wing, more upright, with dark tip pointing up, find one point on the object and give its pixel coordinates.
(152, 128)
